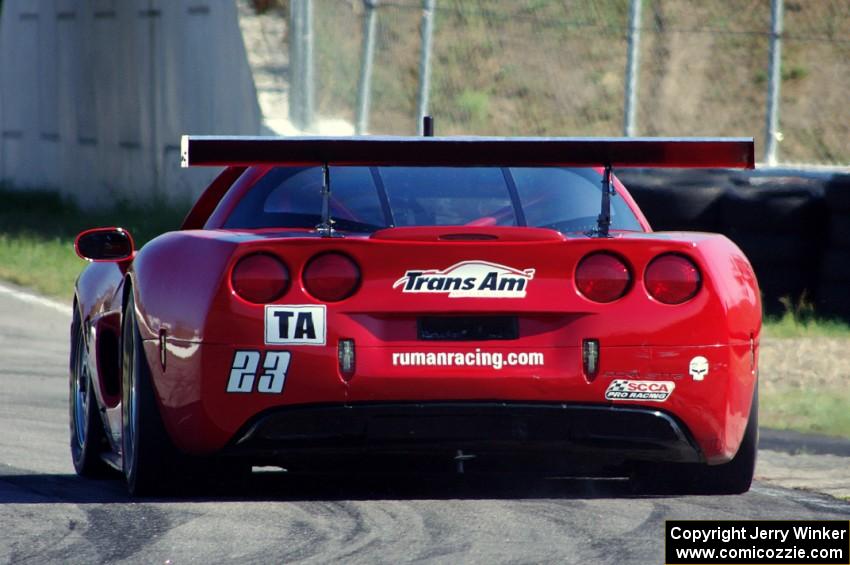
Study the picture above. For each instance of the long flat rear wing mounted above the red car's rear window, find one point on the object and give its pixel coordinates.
(611, 152)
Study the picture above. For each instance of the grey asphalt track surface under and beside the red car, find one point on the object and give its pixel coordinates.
(48, 515)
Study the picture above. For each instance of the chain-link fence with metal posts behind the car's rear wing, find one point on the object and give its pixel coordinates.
(558, 67)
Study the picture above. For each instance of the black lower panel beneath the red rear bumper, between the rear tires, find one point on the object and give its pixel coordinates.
(607, 434)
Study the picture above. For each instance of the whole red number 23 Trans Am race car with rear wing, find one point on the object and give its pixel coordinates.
(459, 303)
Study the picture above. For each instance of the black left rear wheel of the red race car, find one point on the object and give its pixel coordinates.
(149, 458)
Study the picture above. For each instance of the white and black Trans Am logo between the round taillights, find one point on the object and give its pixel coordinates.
(469, 279)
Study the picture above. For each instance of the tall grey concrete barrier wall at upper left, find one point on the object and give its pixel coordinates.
(95, 94)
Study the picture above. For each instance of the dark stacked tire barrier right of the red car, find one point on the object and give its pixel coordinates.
(794, 230)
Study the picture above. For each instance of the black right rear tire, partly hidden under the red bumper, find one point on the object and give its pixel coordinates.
(734, 477)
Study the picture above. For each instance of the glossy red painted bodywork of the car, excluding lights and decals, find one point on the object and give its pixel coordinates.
(181, 282)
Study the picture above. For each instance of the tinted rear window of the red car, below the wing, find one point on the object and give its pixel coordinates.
(365, 199)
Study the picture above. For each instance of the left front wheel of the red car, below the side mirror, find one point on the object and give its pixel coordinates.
(87, 436)
